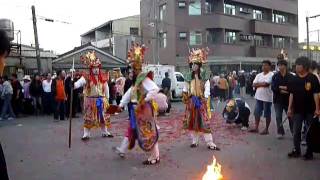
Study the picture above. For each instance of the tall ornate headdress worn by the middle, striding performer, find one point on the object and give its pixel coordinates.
(136, 56)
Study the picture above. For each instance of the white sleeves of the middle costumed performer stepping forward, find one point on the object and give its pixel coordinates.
(150, 87)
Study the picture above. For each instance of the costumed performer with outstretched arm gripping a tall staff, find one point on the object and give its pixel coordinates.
(96, 94)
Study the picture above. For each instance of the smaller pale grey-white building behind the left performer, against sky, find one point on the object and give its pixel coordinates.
(114, 36)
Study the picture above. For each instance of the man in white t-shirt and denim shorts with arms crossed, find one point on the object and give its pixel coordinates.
(263, 97)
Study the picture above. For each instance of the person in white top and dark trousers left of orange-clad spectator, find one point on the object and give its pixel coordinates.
(47, 98)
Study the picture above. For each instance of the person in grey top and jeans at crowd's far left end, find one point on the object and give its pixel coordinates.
(6, 96)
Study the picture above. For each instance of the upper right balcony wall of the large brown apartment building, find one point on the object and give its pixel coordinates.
(263, 27)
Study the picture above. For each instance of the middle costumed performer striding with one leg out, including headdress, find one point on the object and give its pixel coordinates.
(140, 99)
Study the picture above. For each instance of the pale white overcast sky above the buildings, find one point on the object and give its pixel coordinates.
(84, 15)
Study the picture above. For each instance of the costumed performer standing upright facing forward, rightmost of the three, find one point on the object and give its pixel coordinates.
(195, 97)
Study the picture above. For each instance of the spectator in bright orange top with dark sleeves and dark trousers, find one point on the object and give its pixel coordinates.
(59, 94)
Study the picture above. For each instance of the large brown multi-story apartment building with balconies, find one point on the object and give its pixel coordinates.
(240, 33)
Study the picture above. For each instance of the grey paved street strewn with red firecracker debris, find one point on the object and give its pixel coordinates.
(36, 149)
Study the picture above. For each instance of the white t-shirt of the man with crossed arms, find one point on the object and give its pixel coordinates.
(264, 93)
